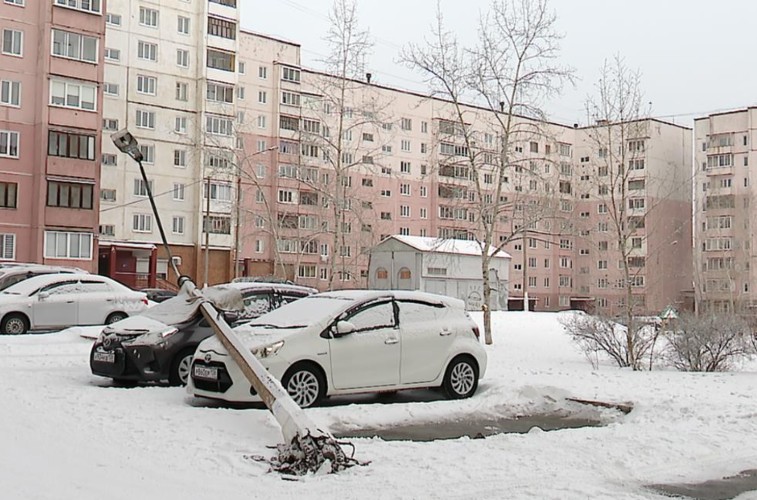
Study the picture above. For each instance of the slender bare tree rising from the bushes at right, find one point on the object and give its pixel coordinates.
(625, 193)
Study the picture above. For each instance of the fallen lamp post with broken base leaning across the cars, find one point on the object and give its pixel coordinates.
(306, 448)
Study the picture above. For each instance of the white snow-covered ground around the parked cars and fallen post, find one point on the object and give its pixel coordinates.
(65, 433)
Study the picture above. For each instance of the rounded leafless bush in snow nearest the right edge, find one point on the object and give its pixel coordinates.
(708, 343)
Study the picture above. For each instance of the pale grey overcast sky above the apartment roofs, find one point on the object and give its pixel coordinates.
(696, 57)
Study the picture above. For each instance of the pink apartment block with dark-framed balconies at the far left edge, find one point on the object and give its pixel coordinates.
(51, 71)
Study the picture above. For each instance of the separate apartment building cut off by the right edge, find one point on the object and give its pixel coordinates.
(723, 208)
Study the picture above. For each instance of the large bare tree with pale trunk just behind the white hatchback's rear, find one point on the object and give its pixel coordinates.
(510, 71)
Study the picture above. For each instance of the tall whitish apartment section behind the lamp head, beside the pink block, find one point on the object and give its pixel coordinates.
(171, 71)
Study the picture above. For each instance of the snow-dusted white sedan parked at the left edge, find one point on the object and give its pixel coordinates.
(53, 301)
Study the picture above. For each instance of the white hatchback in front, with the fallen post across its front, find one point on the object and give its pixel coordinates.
(350, 342)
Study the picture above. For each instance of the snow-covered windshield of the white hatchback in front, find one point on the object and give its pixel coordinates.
(304, 311)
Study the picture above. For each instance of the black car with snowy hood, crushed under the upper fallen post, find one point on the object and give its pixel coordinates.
(159, 344)
